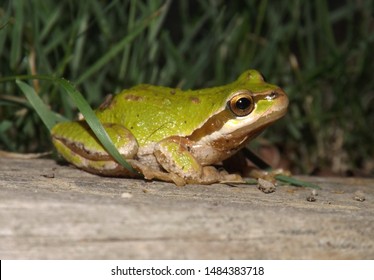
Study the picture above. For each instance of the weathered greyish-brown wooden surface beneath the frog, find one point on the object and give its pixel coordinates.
(49, 211)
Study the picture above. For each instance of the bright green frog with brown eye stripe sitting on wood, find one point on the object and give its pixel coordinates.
(174, 135)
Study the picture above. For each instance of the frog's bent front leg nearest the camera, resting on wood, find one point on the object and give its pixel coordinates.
(174, 156)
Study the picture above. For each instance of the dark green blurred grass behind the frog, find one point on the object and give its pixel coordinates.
(318, 51)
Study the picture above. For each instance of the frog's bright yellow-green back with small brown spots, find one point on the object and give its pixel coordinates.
(152, 113)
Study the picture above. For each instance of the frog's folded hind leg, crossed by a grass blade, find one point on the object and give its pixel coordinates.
(78, 145)
